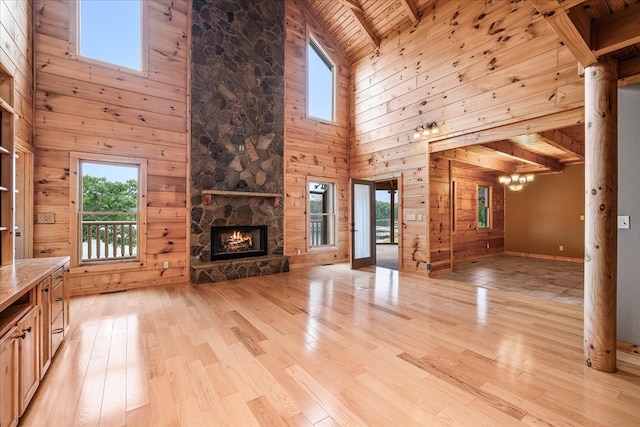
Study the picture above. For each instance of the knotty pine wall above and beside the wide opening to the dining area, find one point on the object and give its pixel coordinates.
(470, 66)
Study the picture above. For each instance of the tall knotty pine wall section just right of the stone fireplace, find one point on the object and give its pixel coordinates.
(313, 148)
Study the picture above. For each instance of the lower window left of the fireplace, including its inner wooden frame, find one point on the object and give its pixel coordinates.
(110, 210)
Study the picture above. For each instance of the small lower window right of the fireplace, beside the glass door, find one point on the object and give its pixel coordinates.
(322, 214)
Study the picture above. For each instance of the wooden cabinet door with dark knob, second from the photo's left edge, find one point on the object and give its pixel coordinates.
(29, 374)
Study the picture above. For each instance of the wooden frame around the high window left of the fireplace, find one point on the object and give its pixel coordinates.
(74, 41)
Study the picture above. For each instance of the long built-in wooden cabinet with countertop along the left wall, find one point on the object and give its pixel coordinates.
(34, 313)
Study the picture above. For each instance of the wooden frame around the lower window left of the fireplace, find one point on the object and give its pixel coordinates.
(75, 197)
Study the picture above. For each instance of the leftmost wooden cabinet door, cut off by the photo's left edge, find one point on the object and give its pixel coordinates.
(9, 378)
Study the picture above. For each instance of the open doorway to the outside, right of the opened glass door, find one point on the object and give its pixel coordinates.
(386, 223)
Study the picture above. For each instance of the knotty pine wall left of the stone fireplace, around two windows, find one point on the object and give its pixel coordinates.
(85, 106)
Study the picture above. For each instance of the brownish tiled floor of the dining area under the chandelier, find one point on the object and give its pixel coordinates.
(560, 281)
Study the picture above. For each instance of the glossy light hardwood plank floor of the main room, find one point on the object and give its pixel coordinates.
(328, 346)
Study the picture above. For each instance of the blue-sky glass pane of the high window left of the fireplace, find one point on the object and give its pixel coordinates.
(111, 31)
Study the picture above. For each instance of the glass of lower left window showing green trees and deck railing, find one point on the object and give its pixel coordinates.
(110, 211)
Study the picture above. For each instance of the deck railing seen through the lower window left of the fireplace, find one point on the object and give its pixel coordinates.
(108, 240)
